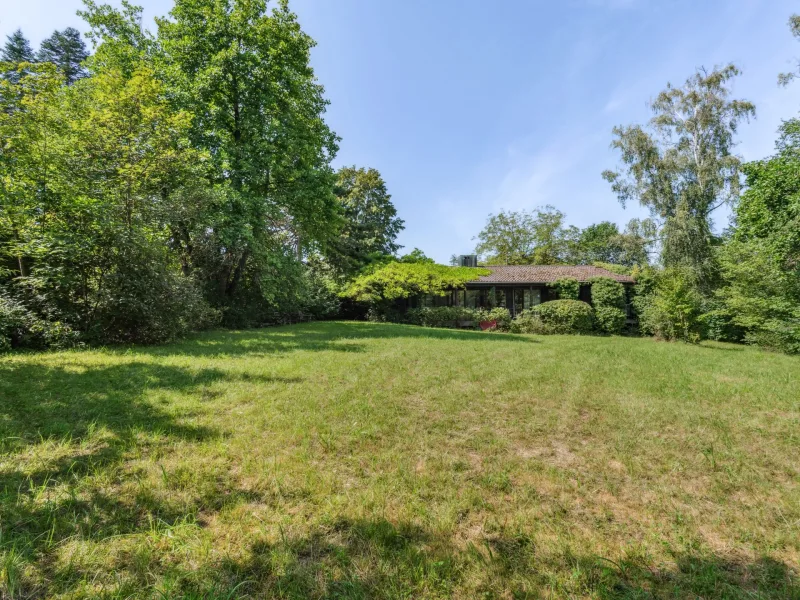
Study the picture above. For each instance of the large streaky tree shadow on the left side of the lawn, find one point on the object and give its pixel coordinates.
(66, 434)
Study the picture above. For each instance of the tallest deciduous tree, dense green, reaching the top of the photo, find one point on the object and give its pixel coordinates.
(243, 72)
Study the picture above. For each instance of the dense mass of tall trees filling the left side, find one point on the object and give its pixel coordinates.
(174, 180)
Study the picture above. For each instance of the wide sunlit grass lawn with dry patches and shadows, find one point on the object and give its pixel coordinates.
(357, 460)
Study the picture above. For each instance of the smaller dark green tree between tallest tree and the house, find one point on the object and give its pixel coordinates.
(370, 224)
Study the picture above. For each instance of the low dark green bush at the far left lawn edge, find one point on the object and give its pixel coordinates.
(21, 328)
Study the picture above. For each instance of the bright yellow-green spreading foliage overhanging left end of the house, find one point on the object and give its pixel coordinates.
(403, 280)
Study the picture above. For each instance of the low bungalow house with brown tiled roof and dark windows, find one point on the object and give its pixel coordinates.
(519, 287)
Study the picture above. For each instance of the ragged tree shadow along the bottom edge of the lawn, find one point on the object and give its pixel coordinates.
(363, 558)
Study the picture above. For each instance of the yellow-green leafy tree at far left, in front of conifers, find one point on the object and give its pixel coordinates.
(91, 172)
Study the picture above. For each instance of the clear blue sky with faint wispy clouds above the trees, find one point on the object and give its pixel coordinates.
(468, 107)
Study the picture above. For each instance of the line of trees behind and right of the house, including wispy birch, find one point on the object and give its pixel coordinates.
(740, 285)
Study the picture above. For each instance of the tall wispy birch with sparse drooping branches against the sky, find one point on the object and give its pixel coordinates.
(682, 166)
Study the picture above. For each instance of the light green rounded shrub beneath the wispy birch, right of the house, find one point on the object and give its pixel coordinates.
(669, 305)
